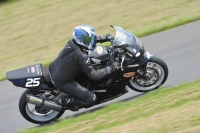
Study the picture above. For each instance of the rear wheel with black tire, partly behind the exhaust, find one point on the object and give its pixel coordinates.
(37, 115)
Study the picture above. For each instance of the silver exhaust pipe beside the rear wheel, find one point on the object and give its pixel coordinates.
(44, 103)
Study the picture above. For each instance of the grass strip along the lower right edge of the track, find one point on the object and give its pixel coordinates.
(161, 111)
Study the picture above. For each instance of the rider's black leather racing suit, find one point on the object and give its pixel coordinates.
(67, 65)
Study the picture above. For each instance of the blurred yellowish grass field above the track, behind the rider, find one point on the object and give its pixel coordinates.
(35, 31)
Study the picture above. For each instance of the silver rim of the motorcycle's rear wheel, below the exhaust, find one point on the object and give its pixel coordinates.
(37, 115)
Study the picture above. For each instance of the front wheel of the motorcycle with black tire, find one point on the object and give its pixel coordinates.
(157, 73)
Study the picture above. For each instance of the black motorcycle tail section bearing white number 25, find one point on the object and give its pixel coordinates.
(31, 77)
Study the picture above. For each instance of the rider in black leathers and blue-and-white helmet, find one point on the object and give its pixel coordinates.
(72, 59)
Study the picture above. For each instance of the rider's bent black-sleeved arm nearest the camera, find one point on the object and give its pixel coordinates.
(85, 64)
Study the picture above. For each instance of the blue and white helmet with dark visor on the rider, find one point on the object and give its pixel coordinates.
(85, 36)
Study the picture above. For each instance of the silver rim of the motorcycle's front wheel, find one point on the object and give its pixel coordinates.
(156, 74)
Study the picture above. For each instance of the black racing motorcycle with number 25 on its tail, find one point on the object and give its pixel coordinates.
(139, 70)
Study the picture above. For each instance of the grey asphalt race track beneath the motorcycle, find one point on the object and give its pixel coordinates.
(178, 47)
